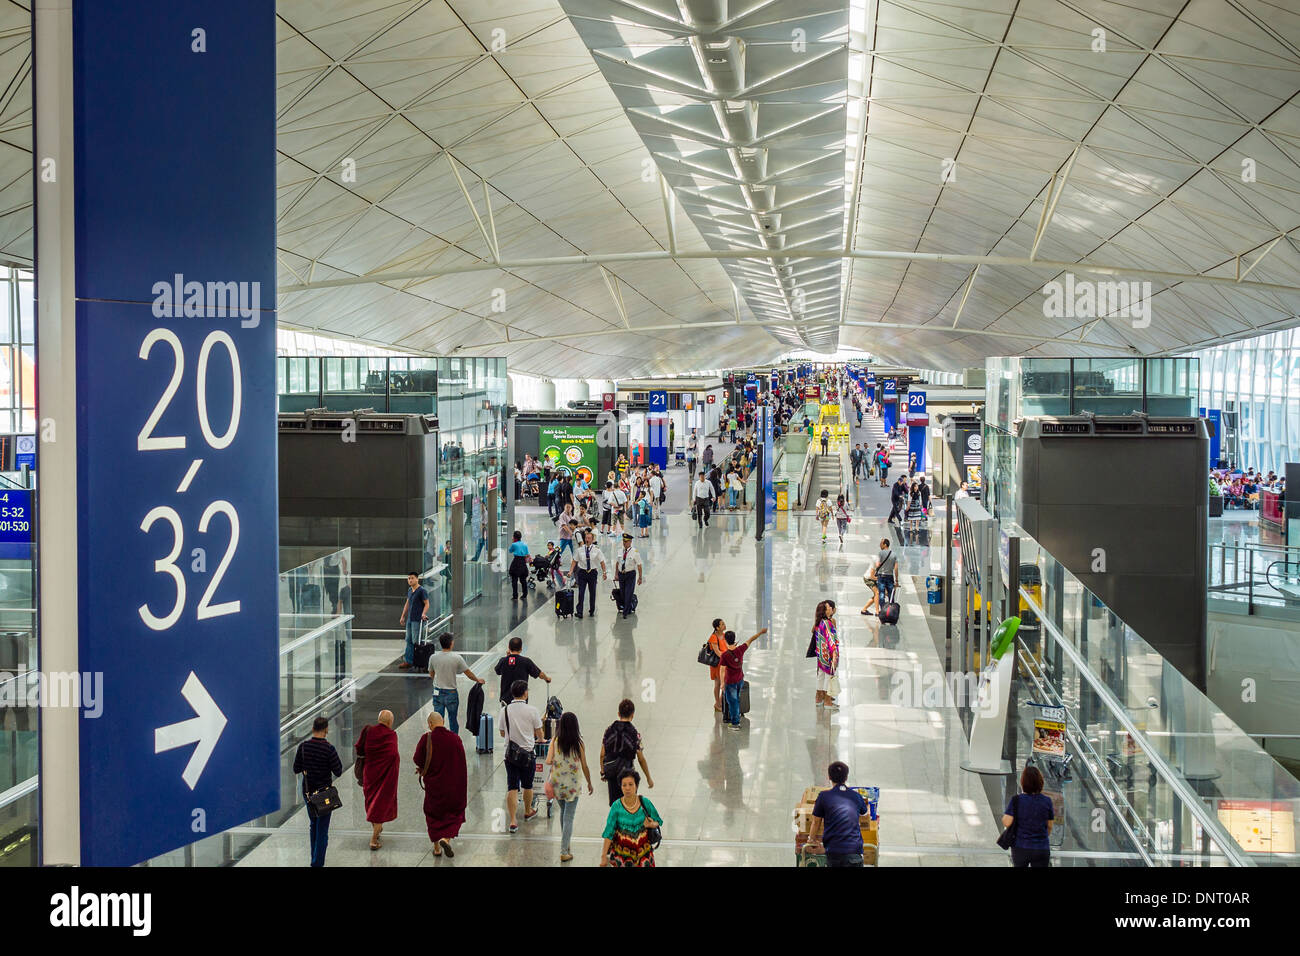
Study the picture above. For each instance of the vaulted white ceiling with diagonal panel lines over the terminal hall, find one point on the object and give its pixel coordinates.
(1145, 142)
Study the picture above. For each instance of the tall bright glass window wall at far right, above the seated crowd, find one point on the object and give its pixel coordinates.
(1259, 380)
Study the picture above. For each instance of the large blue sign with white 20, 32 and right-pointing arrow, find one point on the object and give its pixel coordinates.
(176, 432)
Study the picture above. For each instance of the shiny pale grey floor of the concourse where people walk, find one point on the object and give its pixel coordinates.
(727, 798)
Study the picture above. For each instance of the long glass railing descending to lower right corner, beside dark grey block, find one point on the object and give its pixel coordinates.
(1193, 786)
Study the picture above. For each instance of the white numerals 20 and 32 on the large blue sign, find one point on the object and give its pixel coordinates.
(148, 442)
